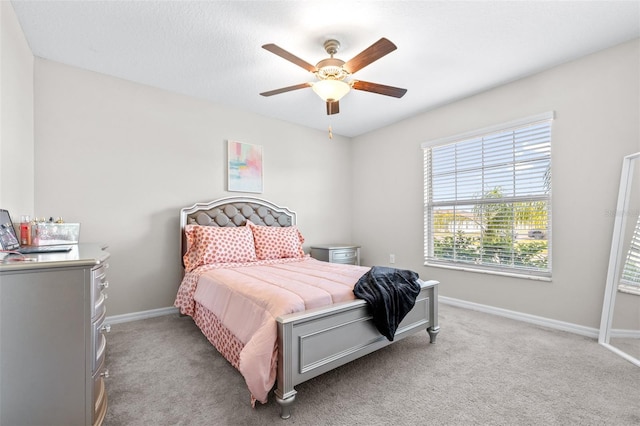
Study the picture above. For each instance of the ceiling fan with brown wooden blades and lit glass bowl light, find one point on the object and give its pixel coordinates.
(333, 73)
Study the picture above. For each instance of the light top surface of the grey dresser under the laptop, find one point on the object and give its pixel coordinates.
(84, 254)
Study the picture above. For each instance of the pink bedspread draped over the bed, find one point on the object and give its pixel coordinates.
(248, 298)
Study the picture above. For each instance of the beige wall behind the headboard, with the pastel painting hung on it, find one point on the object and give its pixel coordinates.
(123, 158)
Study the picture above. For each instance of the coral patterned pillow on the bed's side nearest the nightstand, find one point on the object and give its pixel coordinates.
(274, 242)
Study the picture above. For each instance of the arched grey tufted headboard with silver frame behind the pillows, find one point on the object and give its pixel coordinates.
(234, 211)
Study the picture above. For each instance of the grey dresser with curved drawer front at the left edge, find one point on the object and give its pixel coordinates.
(52, 343)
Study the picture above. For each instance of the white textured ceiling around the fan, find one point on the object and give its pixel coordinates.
(212, 49)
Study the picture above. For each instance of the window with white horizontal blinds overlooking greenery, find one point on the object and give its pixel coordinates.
(487, 199)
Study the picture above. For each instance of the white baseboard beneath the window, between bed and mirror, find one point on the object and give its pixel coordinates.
(533, 319)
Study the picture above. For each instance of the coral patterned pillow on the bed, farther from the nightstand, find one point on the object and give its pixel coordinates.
(212, 244)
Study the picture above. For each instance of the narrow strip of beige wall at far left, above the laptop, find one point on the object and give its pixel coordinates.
(16, 116)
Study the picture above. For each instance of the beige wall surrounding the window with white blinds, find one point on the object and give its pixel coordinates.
(597, 105)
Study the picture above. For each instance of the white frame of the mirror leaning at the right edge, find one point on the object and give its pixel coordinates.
(617, 256)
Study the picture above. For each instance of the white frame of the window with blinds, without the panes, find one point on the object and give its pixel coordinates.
(486, 133)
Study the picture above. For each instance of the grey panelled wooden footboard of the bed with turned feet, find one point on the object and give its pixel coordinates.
(316, 341)
